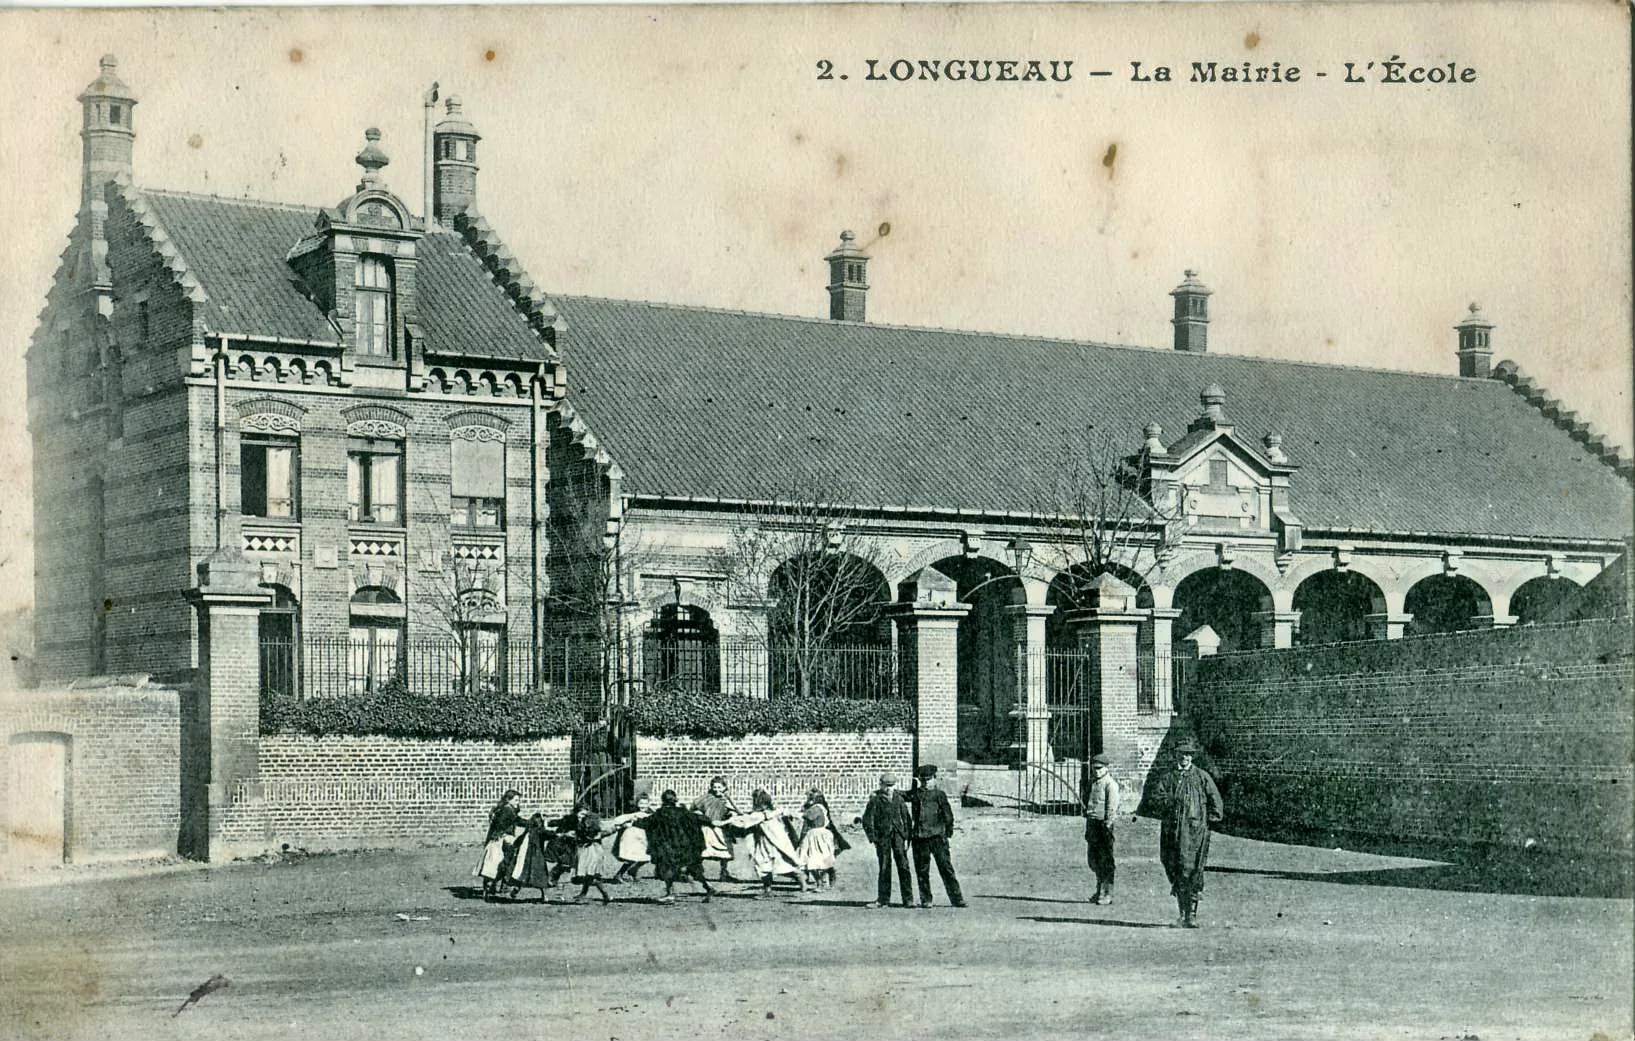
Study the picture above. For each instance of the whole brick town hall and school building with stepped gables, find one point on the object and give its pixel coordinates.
(385, 422)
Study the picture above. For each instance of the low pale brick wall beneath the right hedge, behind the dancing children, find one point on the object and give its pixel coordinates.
(846, 767)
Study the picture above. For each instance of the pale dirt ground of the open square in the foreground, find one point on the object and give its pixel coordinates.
(1297, 942)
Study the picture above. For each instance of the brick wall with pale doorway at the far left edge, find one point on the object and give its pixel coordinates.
(123, 766)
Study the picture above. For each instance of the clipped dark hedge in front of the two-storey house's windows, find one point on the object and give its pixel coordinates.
(395, 712)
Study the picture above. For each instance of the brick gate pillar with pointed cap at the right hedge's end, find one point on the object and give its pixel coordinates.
(928, 615)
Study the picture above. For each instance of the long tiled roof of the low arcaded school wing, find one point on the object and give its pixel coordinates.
(728, 404)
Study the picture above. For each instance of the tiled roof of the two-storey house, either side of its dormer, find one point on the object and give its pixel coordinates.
(236, 249)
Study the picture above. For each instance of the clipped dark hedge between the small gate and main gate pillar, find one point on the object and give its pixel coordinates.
(712, 715)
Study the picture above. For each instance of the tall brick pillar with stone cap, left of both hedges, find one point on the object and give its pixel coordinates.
(223, 726)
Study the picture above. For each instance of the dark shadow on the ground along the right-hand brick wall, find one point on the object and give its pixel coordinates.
(1505, 872)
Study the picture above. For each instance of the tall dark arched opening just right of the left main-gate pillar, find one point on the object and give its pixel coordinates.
(987, 681)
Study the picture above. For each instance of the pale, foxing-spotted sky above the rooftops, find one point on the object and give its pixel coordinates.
(694, 156)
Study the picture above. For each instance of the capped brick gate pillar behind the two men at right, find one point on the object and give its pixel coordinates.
(1108, 635)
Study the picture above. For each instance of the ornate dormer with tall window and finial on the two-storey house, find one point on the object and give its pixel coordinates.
(359, 266)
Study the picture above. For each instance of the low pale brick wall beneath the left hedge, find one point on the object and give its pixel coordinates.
(336, 793)
